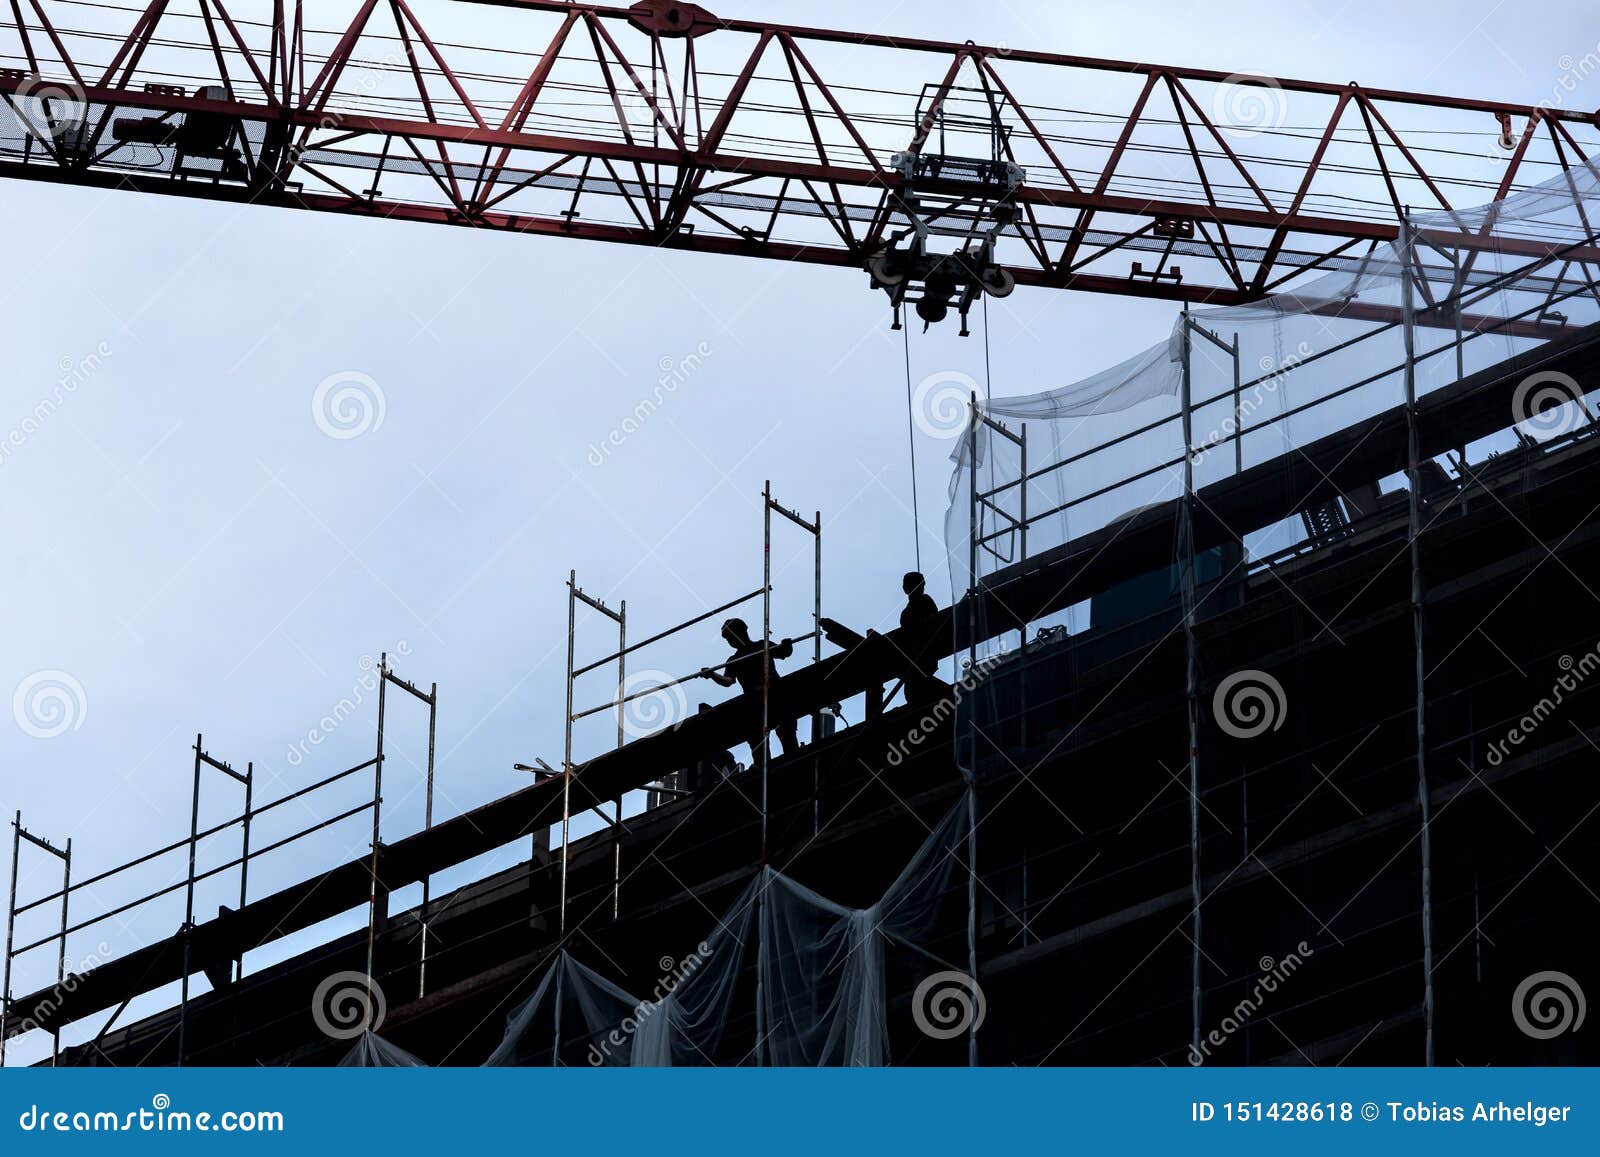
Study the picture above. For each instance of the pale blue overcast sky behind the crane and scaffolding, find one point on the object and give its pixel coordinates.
(198, 554)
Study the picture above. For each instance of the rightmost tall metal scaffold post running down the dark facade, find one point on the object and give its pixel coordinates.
(1415, 530)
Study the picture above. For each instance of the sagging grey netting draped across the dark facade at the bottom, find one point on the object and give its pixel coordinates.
(822, 995)
